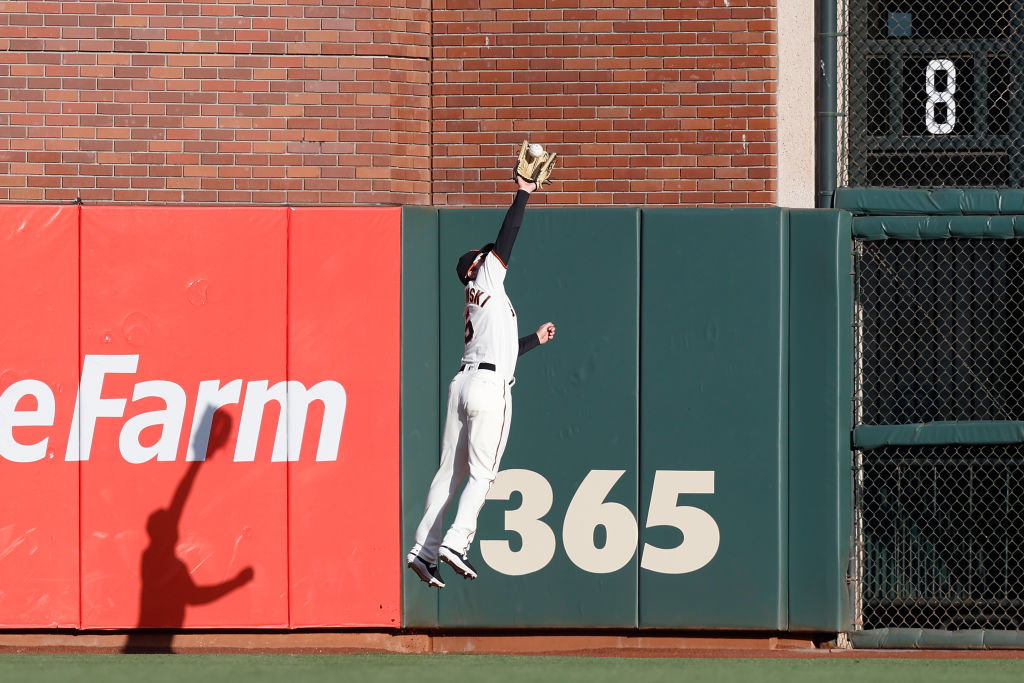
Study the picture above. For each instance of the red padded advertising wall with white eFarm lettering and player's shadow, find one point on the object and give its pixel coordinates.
(199, 417)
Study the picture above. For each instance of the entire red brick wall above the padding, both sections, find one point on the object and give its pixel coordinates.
(353, 102)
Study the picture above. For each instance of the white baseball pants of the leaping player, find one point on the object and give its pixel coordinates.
(477, 430)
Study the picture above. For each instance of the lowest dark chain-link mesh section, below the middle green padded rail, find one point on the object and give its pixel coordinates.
(943, 537)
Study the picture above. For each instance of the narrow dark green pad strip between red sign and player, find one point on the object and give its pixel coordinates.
(420, 381)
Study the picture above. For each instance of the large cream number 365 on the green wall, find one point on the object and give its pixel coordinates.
(588, 510)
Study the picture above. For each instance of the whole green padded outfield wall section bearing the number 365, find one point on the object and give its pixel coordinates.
(680, 454)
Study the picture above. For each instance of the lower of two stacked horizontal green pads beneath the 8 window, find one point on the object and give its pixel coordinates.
(938, 228)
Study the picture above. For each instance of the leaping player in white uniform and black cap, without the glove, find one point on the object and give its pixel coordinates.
(480, 408)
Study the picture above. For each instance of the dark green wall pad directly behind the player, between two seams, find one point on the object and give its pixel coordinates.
(575, 407)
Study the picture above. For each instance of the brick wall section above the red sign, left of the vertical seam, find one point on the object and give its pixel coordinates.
(300, 102)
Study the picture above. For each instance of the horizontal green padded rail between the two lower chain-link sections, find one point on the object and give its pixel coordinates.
(938, 434)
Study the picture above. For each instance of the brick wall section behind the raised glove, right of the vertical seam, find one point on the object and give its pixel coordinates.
(651, 102)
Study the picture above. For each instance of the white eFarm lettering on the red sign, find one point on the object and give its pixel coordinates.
(92, 406)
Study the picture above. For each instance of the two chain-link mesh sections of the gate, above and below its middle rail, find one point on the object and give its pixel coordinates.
(941, 529)
